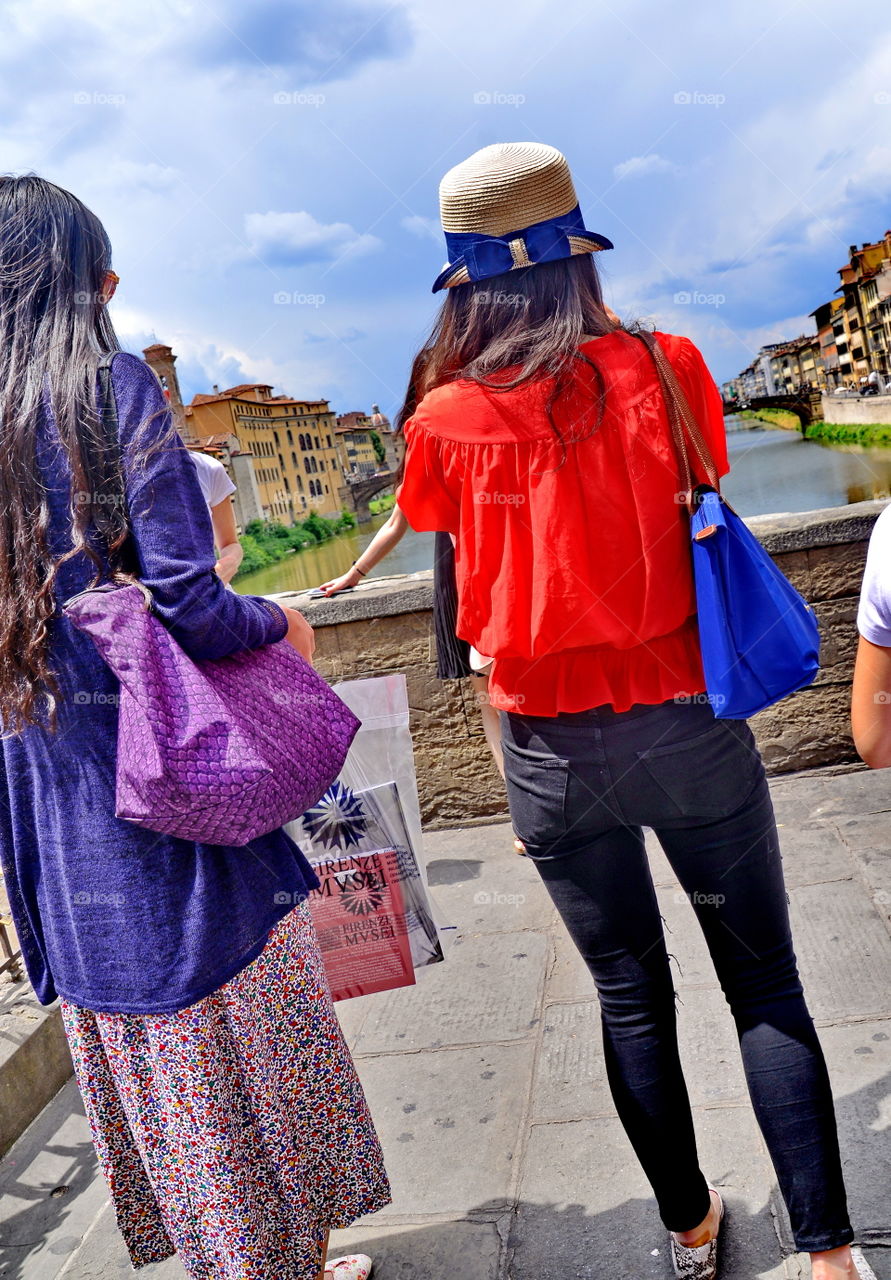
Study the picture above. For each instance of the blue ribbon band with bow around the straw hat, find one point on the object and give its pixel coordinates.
(478, 258)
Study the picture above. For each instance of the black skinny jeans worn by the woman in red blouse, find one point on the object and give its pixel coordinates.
(582, 787)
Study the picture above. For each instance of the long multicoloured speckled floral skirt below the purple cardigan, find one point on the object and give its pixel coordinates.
(234, 1133)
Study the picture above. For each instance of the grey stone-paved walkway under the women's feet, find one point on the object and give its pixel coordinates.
(488, 1087)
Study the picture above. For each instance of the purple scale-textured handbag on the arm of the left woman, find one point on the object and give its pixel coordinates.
(217, 752)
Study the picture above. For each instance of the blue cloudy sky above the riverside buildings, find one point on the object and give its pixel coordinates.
(268, 171)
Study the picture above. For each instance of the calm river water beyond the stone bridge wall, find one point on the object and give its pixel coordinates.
(771, 470)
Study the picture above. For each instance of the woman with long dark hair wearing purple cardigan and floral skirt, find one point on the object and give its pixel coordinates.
(223, 1103)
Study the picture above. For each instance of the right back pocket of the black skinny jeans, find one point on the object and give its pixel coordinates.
(707, 776)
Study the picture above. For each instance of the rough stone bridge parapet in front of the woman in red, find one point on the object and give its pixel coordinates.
(386, 625)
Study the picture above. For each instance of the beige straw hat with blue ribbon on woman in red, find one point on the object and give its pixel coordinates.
(509, 207)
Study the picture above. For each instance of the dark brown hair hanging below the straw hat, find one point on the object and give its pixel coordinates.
(517, 328)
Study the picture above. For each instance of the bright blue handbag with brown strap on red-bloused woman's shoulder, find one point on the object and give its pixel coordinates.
(760, 637)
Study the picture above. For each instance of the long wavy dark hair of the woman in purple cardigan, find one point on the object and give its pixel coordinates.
(54, 331)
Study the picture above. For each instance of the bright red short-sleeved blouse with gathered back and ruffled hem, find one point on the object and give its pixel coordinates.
(573, 556)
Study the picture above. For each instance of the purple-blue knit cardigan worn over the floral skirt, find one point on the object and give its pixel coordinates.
(112, 917)
